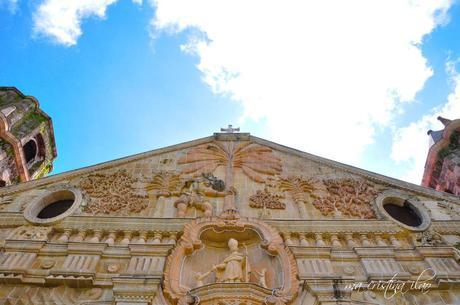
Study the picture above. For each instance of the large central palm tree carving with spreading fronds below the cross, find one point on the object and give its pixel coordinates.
(254, 160)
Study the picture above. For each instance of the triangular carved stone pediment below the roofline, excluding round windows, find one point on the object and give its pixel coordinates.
(205, 177)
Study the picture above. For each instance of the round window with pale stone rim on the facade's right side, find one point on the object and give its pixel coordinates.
(405, 212)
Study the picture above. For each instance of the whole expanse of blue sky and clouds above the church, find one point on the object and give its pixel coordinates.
(359, 82)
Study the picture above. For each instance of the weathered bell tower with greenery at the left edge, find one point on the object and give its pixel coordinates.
(27, 146)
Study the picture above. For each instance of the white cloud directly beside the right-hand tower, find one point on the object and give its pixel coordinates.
(410, 144)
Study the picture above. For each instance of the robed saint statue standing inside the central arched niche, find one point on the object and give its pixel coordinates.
(234, 269)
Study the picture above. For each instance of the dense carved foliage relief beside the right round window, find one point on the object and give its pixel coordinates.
(348, 197)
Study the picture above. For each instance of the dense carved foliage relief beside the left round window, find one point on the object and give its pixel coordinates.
(116, 193)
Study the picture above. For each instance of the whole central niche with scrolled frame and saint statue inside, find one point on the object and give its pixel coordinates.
(230, 261)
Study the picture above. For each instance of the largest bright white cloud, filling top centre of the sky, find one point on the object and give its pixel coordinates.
(324, 74)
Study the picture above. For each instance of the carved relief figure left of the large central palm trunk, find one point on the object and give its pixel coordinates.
(194, 191)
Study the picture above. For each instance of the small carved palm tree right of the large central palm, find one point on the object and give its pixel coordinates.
(299, 188)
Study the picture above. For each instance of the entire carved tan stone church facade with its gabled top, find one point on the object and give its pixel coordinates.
(229, 219)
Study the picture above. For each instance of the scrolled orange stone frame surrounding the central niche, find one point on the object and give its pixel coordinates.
(190, 241)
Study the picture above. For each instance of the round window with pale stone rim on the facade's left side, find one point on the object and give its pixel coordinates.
(53, 206)
